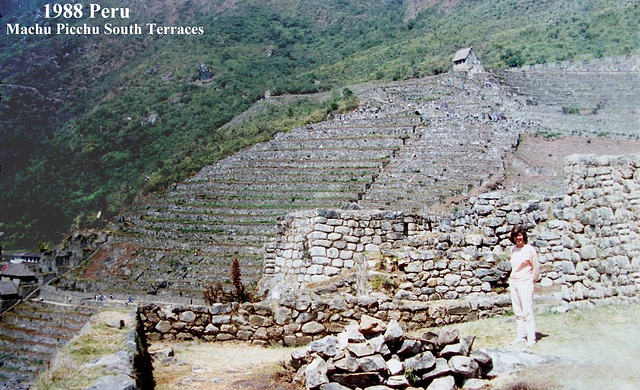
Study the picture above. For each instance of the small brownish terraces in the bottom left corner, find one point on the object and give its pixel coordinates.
(30, 335)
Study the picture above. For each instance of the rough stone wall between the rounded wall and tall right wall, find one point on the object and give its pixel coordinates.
(467, 255)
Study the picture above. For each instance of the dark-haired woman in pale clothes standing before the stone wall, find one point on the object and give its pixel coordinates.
(524, 272)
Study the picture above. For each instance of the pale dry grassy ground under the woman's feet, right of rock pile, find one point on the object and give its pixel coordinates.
(599, 347)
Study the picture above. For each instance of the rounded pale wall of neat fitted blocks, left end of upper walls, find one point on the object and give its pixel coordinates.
(317, 245)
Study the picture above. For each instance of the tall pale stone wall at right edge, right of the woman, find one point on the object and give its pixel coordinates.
(600, 225)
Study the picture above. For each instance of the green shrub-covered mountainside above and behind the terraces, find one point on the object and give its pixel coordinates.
(89, 122)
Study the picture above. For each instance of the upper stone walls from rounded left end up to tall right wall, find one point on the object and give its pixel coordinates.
(438, 257)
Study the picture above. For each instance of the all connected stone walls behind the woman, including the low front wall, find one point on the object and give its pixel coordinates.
(446, 269)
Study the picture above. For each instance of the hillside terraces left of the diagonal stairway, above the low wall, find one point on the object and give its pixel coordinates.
(230, 209)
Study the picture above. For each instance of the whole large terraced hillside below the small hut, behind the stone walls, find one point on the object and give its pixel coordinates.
(409, 146)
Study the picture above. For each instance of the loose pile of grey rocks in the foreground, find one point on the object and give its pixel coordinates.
(380, 356)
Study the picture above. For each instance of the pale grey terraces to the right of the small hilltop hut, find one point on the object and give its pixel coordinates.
(595, 98)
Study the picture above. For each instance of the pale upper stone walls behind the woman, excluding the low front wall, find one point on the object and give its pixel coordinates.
(587, 240)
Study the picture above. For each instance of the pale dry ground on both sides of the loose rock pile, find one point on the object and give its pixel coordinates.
(599, 348)
